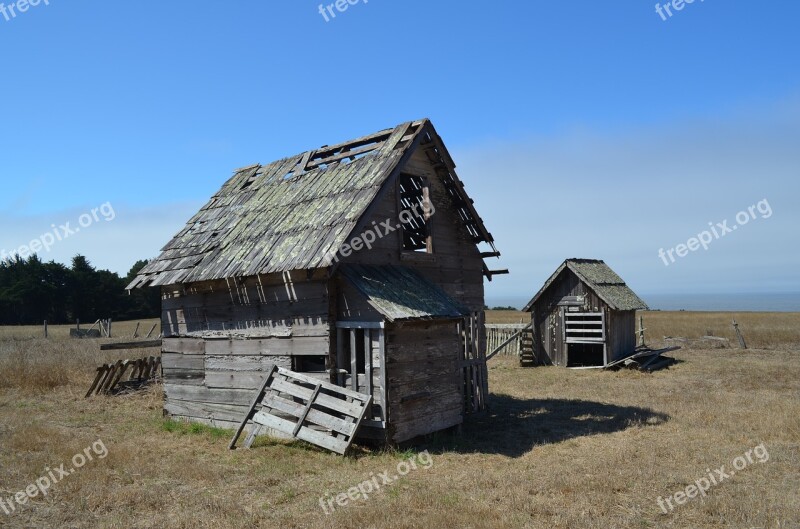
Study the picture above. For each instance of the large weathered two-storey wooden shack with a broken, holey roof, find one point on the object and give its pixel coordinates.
(357, 263)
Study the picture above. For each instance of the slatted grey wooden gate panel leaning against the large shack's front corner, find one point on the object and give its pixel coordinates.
(303, 407)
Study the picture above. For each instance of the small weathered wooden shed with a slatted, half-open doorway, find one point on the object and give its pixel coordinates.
(584, 316)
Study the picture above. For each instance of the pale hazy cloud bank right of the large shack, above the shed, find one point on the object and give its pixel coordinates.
(621, 196)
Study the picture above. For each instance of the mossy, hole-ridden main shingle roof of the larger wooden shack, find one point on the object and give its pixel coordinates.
(293, 214)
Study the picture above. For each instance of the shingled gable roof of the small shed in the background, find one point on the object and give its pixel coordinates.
(599, 277)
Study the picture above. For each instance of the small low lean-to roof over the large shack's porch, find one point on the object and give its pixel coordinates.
(400, 293)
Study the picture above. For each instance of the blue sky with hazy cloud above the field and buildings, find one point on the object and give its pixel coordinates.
(581, 129)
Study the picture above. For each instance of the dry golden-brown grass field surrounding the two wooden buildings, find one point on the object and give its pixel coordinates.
(558, 448)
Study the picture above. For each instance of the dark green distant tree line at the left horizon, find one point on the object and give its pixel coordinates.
(32, 291)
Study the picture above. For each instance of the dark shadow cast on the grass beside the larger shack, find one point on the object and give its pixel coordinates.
(512, 426)
